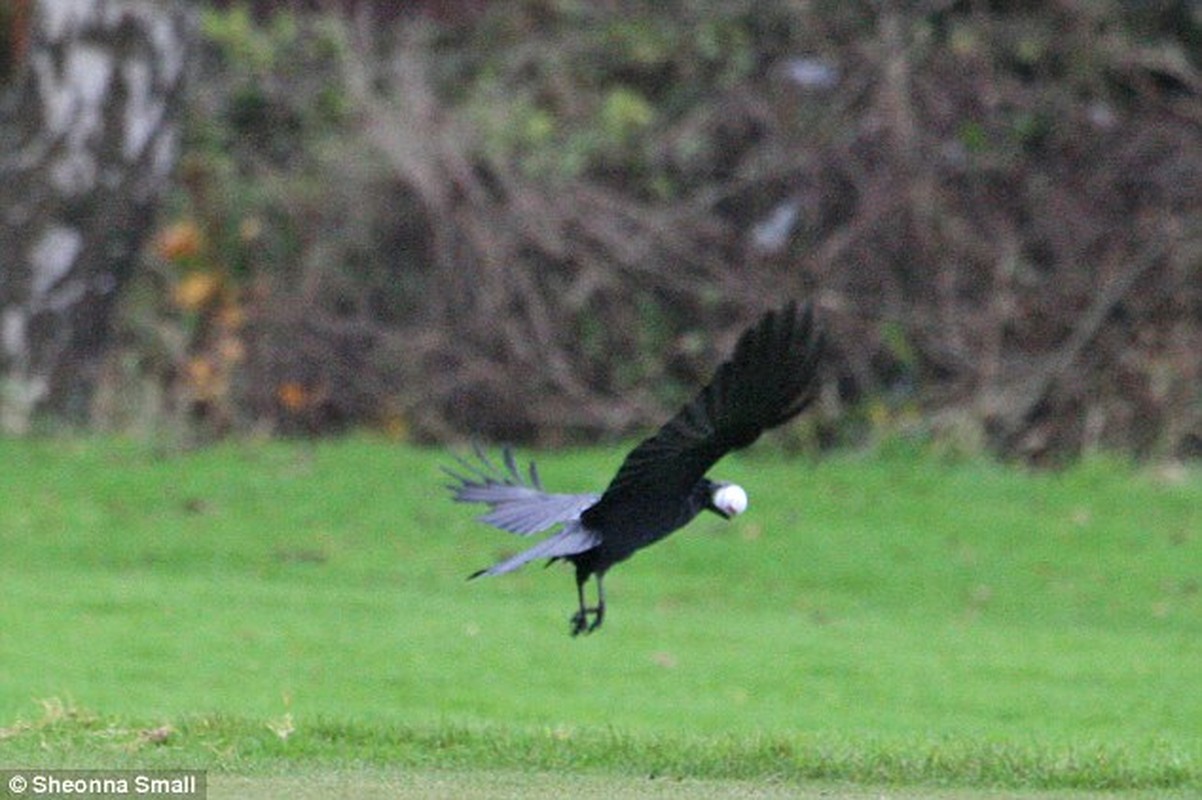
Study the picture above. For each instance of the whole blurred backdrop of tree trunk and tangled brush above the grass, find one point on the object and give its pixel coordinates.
(546, 222)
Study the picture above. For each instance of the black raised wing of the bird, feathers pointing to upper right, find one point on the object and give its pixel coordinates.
(769, 380)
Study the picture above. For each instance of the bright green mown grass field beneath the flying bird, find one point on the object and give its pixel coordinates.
(294, 616)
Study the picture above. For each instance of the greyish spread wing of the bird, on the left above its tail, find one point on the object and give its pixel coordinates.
(517, 504)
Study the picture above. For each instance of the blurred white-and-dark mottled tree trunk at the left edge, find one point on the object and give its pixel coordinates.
(88, 141)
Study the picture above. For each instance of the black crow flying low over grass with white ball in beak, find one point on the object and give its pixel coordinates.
(662, 486)
